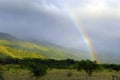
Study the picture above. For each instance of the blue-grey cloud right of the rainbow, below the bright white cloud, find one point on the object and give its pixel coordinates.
(104, 34)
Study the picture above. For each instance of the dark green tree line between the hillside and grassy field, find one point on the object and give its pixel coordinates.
(39, 67)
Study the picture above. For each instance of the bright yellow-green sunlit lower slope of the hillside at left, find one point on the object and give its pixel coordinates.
(6, 50)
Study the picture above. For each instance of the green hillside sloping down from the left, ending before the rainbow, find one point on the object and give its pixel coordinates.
(10, 46)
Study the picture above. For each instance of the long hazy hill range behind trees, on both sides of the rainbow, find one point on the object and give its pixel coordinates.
(12, 47)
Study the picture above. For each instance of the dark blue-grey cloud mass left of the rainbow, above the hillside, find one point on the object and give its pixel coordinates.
(36, 19)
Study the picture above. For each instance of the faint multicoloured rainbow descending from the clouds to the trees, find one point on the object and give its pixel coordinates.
(85, 37)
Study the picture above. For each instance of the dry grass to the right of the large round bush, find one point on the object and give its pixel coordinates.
(62, 75)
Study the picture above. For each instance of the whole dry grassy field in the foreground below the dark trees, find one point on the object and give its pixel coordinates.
(16, 73)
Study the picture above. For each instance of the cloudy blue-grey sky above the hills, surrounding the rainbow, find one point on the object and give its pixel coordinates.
(63, 22)
